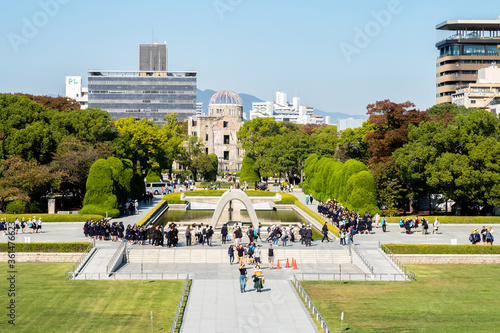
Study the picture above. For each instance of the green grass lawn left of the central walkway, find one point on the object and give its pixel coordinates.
(45, 302)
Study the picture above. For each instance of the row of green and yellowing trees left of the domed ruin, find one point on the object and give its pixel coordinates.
(49, 143)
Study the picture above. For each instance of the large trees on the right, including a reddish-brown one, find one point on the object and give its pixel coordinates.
(412, 154)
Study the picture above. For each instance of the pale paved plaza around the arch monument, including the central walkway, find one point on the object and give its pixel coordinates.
(215, 303)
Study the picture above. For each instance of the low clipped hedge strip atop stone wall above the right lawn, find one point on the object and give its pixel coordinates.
(442, 249)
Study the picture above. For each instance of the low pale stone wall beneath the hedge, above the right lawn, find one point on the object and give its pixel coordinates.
(449, 259)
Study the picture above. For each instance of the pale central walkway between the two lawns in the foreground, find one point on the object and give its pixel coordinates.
(218, 306)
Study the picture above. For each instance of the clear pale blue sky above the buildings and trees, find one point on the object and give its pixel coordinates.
(337, 56)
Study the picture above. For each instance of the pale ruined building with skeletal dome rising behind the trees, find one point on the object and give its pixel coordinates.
(218, 130)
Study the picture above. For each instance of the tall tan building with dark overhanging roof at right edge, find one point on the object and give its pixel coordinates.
(472, 45)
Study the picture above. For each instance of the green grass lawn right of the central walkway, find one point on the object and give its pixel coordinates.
(445, 298)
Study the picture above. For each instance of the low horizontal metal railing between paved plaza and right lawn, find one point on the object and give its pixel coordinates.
(352, 276)
